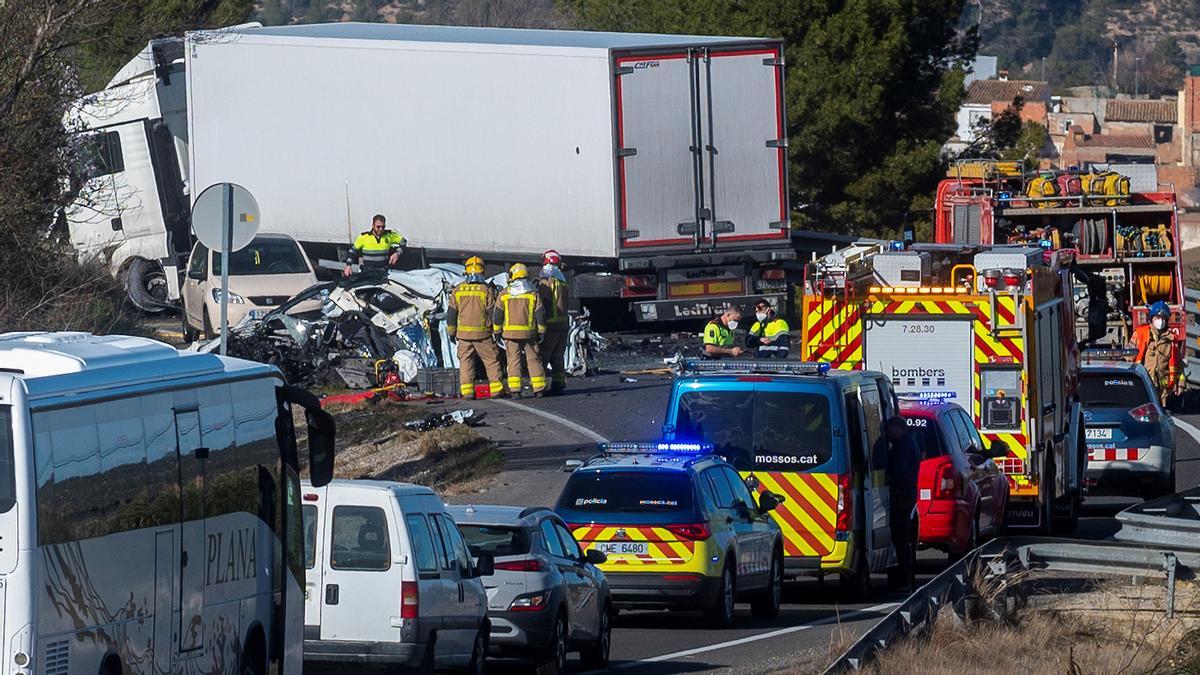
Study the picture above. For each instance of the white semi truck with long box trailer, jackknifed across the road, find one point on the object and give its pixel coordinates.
(656, 164)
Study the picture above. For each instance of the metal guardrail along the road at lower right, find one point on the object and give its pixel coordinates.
(1160, 539)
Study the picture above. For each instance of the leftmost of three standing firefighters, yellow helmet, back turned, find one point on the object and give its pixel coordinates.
(470, 322)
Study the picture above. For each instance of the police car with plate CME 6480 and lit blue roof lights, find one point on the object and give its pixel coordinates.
(680, 529)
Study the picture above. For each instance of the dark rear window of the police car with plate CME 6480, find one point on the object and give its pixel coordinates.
(627, 492)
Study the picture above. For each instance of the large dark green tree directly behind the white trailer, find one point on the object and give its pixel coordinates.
(872, 91)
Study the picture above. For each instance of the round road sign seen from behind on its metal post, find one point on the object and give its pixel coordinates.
(225, 218)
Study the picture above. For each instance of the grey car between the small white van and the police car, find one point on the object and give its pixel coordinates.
(547, 596)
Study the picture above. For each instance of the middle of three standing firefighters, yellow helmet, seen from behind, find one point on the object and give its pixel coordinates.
(519, 319)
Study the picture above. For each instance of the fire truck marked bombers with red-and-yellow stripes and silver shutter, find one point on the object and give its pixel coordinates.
(991, 328)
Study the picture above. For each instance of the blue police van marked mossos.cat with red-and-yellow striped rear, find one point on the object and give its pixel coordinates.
(813, 435)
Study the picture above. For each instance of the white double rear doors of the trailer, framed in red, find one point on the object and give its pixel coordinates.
(700, 146)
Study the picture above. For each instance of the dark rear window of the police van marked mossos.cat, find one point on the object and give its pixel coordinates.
(760, 431)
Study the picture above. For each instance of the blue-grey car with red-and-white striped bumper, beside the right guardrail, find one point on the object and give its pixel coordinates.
(1131, 438)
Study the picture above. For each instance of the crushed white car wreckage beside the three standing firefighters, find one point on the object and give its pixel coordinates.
(377, 328)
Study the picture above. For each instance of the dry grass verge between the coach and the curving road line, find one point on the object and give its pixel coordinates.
(374, 444)
